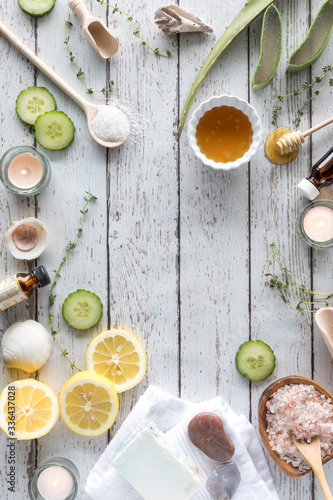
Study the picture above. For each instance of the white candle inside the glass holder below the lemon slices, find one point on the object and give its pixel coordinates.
(55, 483)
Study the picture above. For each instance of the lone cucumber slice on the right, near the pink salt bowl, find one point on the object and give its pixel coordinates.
(255, 360)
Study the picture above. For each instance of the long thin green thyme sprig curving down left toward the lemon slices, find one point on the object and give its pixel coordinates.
(69, 247)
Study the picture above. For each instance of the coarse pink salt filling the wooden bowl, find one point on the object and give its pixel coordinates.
(299, 411)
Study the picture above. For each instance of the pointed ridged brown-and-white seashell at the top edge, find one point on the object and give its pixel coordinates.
(172, 19)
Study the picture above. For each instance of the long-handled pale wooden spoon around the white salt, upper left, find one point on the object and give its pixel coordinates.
(89, 109)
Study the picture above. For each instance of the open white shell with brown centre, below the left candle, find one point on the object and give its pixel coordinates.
(26, 239)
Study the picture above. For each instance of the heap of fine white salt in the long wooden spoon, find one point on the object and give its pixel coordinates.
(111, 124)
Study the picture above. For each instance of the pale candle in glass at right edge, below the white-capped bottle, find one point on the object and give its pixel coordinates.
(318, 224)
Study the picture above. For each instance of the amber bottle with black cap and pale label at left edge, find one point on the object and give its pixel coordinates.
(20, 286)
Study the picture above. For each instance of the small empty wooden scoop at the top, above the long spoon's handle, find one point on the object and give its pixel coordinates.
(97, 33)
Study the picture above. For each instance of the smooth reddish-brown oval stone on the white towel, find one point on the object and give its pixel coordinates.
(206, 432)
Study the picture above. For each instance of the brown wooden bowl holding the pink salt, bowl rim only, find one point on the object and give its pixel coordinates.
(262, 410)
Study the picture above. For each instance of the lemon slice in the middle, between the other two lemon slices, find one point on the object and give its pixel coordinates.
(88, 404)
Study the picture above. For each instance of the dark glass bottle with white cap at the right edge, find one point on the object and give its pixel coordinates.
(320, 175)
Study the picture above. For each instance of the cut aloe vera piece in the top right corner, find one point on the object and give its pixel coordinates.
(315, 40)
